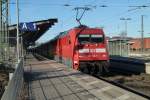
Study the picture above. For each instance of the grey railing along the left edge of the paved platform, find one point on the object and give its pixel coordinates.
(15, 86)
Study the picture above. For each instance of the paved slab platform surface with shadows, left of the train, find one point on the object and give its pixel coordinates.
(48, 80)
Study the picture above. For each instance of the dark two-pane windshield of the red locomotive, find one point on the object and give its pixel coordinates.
(90, 38)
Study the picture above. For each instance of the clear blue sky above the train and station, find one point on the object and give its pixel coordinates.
(106, 17)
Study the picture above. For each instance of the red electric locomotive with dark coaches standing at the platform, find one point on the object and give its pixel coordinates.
(81, 48)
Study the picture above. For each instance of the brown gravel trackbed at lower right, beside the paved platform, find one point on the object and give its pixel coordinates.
(139, 82)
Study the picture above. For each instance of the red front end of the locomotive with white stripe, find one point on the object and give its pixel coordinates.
(92, 51)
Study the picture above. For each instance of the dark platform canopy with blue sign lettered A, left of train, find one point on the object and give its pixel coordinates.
(30, 31)
